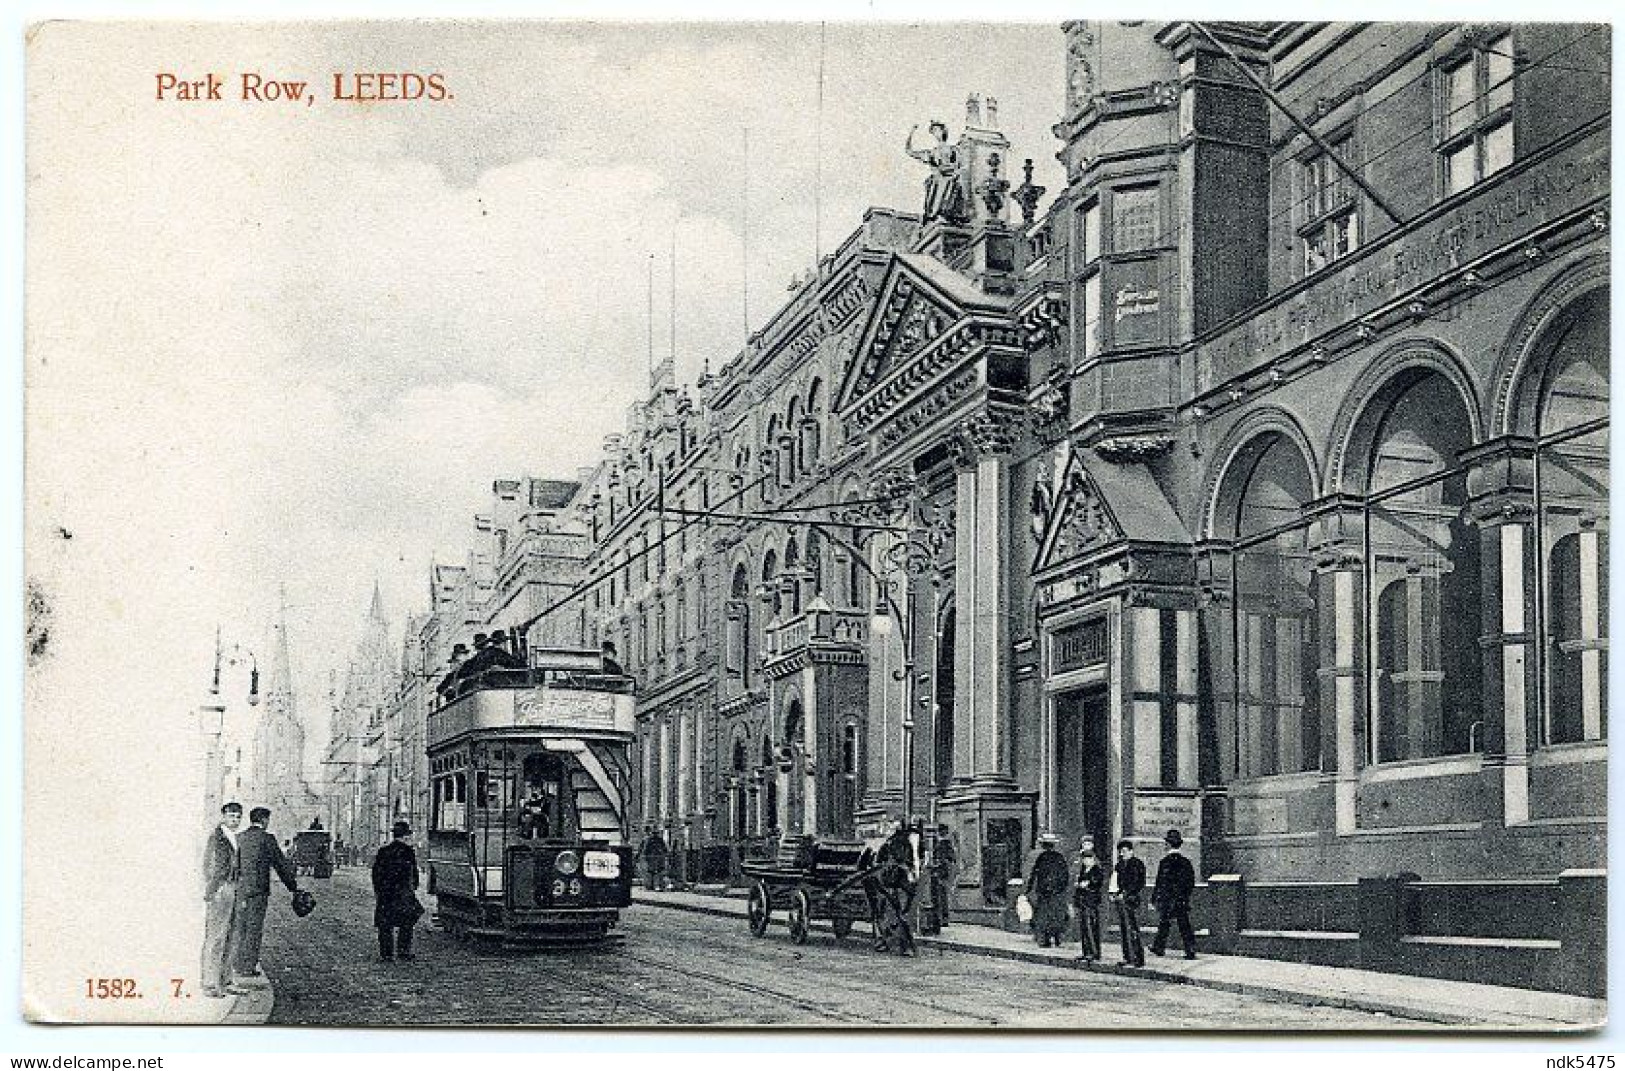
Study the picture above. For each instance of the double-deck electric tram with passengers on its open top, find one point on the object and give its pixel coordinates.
(531, 778)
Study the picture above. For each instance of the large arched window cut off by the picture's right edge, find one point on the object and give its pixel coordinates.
(1572, 474)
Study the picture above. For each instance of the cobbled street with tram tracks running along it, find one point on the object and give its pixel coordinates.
(687, 969)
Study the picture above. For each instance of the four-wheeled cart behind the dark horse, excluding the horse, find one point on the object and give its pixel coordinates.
(812, 880)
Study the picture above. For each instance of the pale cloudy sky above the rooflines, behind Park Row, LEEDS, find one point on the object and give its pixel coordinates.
(295, 345)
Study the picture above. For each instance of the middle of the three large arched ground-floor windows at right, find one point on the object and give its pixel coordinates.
(1423, 562)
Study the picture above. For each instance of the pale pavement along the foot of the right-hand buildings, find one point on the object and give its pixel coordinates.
(1429, 1000)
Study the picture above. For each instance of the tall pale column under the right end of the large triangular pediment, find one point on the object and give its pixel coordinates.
(981, 573)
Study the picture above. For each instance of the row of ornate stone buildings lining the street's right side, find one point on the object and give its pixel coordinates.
(1257, 487)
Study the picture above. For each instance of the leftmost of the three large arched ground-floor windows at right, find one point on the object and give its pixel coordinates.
(1273, 592)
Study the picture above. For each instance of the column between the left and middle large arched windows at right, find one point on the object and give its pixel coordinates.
(1337, 537)
